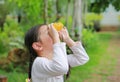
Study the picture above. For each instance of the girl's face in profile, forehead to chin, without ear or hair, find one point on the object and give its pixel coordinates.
(46, 40)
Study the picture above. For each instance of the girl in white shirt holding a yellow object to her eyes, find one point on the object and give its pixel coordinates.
(48, 58)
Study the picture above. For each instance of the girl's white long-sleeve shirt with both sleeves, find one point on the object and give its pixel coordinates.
(45, 70)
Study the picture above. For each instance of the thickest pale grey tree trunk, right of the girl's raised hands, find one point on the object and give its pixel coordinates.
(77, 19)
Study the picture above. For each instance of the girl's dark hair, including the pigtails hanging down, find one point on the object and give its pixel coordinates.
(30, 37)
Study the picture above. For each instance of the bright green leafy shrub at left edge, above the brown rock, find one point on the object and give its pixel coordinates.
(12, 33)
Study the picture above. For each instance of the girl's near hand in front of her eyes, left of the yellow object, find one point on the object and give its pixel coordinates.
(53, 33)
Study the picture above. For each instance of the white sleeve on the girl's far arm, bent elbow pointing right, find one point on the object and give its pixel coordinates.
(79, 56)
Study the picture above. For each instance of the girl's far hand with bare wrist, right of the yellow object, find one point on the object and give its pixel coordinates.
(64, 35)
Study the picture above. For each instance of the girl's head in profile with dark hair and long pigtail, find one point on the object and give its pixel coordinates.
(38, 41)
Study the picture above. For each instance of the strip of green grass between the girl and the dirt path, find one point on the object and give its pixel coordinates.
(78, 74)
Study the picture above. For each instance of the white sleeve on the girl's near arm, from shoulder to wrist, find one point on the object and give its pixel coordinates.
(55, 67)
